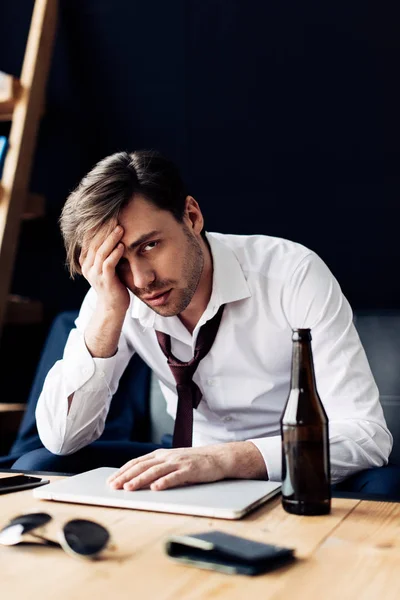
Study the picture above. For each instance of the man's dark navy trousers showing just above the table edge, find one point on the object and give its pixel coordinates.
(383, 482)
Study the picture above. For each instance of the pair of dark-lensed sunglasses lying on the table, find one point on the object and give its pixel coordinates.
(78, 537)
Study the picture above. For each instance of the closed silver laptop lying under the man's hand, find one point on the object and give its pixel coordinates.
(227, 499)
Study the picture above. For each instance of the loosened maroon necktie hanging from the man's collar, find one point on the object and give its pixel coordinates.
(189, 394)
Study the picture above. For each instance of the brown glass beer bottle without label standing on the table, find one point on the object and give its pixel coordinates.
(306, 486)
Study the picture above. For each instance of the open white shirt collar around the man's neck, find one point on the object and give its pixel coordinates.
(229, 285)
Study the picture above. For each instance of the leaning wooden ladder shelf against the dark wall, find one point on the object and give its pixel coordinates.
(21, 102)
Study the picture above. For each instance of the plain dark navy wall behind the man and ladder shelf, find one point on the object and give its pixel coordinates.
(282, 115)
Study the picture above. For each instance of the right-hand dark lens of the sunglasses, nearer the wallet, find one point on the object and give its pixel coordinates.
(85, 538)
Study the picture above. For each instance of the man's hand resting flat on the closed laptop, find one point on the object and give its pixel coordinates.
(164, 469)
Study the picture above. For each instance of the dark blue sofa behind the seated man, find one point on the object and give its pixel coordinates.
(130, 419)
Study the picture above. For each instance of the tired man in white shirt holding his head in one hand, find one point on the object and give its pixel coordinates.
(156, 279)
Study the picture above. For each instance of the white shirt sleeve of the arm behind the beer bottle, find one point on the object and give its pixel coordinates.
(359, 437)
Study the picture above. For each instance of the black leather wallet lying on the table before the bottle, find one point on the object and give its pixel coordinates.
(226, 553)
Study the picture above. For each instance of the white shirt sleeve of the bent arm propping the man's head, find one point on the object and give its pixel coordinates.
(93, 381)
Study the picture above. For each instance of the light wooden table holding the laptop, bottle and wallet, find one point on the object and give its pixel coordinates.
(353, 553)
